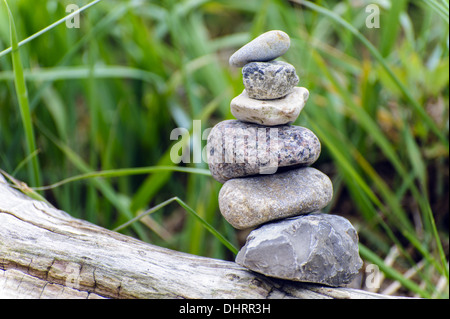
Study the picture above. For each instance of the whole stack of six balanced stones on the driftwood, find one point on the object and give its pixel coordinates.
(264, 161)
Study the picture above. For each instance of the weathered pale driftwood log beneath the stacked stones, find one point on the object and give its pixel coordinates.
(46, 253)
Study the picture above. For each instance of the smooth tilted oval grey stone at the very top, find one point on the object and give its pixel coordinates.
(266, 47)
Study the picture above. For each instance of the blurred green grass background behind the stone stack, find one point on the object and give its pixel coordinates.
(106, 96)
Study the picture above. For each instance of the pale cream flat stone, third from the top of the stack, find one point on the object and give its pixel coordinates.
(270, 112)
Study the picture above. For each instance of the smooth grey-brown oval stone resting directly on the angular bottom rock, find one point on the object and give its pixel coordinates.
(252, 201)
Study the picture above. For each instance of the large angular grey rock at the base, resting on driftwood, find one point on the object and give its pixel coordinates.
(318, 248)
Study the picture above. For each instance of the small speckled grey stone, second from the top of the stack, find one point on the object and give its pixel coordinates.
(269, 80)
